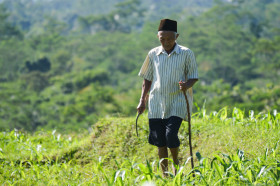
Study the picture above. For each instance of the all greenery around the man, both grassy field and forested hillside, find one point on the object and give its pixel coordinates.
(69, 91)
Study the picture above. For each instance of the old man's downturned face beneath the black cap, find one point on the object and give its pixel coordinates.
(167, 39)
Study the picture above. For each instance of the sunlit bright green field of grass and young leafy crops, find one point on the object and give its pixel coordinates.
(230, 150)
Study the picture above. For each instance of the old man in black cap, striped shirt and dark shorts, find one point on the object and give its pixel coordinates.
(167, 70)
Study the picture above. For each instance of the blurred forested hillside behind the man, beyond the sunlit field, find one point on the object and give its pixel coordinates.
(66, 63)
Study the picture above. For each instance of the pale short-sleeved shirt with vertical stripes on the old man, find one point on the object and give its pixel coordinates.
(165, 71)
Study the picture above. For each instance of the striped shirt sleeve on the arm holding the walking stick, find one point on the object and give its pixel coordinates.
(191, 66)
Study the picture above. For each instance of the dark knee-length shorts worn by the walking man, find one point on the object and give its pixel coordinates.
(164, 132)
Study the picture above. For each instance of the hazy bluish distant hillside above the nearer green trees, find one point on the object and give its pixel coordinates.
(31, 15)
